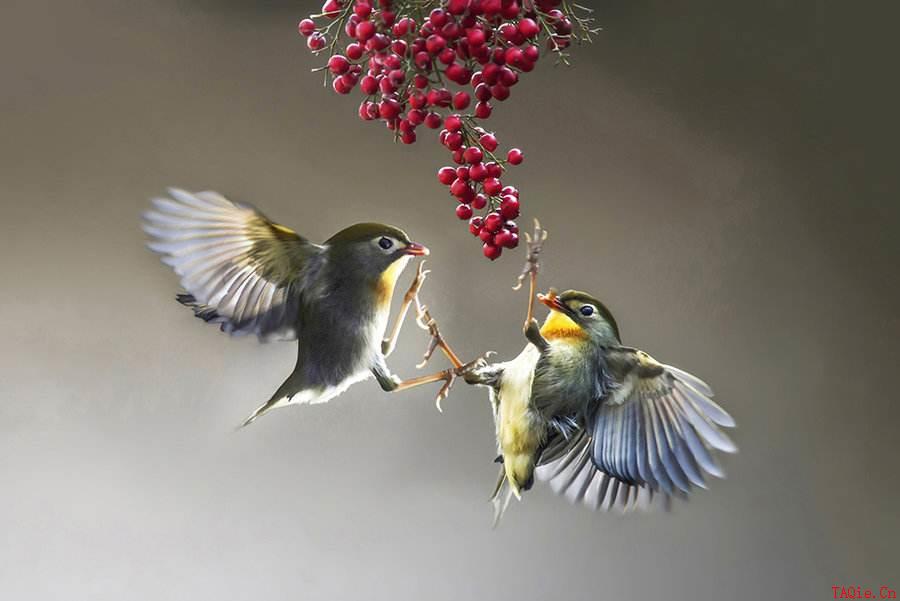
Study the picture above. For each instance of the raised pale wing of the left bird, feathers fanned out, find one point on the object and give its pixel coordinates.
(240, 269)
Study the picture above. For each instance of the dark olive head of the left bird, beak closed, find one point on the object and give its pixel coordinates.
(376, 252)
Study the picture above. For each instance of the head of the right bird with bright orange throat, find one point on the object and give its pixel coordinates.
(578, 315)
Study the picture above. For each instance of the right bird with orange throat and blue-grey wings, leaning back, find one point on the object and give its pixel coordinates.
(603, 423)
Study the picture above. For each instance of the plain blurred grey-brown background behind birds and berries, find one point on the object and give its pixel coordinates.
(723, 174)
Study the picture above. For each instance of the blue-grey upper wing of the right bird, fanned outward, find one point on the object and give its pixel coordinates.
(657, 425)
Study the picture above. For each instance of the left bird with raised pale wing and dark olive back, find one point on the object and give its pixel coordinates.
(252, 276)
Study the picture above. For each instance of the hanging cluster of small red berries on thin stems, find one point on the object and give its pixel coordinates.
(422, 62)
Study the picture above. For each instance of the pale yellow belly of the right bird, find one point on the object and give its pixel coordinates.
(518, 425)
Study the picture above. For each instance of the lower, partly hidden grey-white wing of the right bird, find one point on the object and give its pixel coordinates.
(566, 465)
